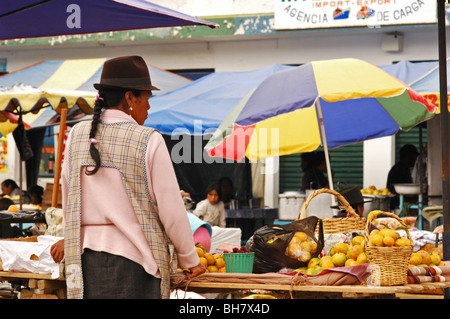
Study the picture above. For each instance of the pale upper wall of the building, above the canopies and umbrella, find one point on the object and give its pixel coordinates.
(244, 53)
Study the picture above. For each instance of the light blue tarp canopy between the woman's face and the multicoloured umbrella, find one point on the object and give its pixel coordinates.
(199, 107)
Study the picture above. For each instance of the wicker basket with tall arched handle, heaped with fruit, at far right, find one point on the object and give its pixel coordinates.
(388, 265)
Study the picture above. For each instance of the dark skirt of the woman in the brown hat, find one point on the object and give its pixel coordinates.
(107, 276)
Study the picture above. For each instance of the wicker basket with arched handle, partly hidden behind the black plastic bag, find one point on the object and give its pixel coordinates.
(336, 225)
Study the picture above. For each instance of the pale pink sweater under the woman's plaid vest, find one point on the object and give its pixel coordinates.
(108, 221)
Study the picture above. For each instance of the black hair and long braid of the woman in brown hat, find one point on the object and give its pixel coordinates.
(106, 99)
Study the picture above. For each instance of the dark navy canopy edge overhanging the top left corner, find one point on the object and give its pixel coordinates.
(40, 18)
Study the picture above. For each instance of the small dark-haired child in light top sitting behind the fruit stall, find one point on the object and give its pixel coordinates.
(211, 209)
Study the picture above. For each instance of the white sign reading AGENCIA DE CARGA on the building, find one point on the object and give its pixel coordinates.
(312, 14)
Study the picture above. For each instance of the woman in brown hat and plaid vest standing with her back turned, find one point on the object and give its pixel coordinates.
(121, 199)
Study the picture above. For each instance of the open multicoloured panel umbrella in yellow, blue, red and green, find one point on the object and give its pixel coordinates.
(330, 103)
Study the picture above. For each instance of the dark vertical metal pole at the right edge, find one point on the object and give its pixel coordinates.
(444, 133)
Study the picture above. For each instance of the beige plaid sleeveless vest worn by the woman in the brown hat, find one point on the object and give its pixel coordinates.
(122, 146)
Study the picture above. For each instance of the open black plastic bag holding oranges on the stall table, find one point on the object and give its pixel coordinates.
(271, 257)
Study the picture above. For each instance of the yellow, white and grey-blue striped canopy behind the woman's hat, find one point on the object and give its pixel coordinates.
(61, 84)
